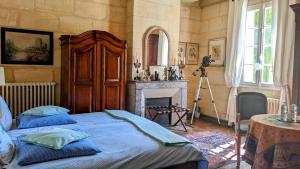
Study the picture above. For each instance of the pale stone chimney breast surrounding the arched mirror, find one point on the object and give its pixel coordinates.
(148, 13)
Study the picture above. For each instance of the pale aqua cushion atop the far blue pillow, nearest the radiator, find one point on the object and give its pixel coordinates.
(45, 111)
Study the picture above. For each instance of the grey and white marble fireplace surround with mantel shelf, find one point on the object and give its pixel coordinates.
(139, 91)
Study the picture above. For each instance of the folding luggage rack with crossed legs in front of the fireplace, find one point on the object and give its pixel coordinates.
(156, 111)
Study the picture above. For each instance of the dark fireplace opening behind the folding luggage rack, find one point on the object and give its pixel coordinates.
(162, 101)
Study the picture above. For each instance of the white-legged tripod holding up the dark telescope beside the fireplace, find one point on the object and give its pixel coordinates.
(198, 97)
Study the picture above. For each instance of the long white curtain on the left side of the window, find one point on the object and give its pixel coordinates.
(235, 52)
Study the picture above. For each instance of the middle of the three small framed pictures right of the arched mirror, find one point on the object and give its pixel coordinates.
(192, 54)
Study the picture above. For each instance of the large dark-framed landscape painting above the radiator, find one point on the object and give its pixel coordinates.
(19, 46)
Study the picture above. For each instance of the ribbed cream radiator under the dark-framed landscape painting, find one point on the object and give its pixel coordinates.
(23, 96)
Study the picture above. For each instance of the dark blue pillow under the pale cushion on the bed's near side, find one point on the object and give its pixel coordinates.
(31, 153)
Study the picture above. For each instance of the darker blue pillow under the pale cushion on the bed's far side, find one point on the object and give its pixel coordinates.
(25, 121)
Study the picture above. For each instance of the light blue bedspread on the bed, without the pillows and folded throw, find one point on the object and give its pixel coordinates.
(122, 146)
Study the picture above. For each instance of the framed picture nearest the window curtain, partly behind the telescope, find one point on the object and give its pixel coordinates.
(216, 48)
